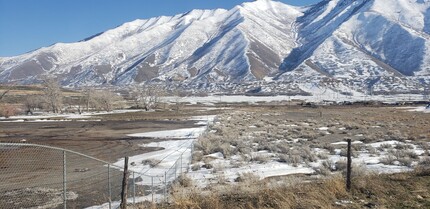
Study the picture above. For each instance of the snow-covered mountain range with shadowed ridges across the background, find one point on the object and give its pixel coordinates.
(343, 45)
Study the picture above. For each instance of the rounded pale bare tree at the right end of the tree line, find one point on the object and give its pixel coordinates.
(146, 97)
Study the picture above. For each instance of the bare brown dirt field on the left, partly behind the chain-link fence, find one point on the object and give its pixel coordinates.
(29, 174)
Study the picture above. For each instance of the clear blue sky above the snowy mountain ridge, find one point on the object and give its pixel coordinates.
(26, 25)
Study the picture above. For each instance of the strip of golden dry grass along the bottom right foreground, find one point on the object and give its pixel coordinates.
(403, 190)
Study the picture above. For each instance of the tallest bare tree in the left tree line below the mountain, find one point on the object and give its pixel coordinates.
(52, 94)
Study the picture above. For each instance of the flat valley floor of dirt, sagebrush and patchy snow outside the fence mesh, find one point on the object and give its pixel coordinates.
(258, 155)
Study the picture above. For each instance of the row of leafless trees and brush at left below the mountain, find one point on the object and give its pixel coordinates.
(54, 99)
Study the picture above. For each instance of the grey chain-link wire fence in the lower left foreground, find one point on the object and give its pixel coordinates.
(38, 176)
